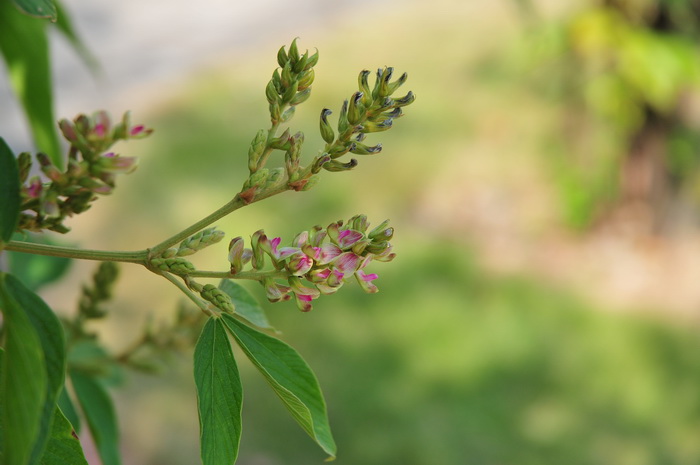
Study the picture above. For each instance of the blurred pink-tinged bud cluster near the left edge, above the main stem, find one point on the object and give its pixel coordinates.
(91, 170)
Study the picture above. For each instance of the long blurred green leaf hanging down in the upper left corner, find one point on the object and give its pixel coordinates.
(24, 45)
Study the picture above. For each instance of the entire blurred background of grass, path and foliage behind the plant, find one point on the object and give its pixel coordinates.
(544, 305)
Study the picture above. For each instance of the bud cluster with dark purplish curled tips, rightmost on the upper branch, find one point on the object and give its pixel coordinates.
(367, 111)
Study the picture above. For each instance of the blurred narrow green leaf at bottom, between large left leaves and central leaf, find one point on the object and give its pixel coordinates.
(99, 412)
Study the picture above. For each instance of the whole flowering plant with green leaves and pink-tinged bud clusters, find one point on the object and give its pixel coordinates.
(50, 367)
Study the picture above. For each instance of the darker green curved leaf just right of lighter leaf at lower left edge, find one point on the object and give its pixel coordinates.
(52, 340)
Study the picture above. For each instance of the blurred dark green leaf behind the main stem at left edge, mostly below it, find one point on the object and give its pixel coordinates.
(36, 271)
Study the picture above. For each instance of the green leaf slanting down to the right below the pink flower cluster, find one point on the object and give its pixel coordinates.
(290, 377)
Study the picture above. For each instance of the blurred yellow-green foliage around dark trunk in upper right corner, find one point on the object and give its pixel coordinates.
(624, 73)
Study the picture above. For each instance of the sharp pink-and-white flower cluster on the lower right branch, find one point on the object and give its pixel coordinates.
(318, 262)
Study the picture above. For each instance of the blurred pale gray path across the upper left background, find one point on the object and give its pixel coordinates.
(139, 42)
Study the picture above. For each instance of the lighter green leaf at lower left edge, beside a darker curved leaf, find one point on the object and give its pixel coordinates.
(24, 381)
